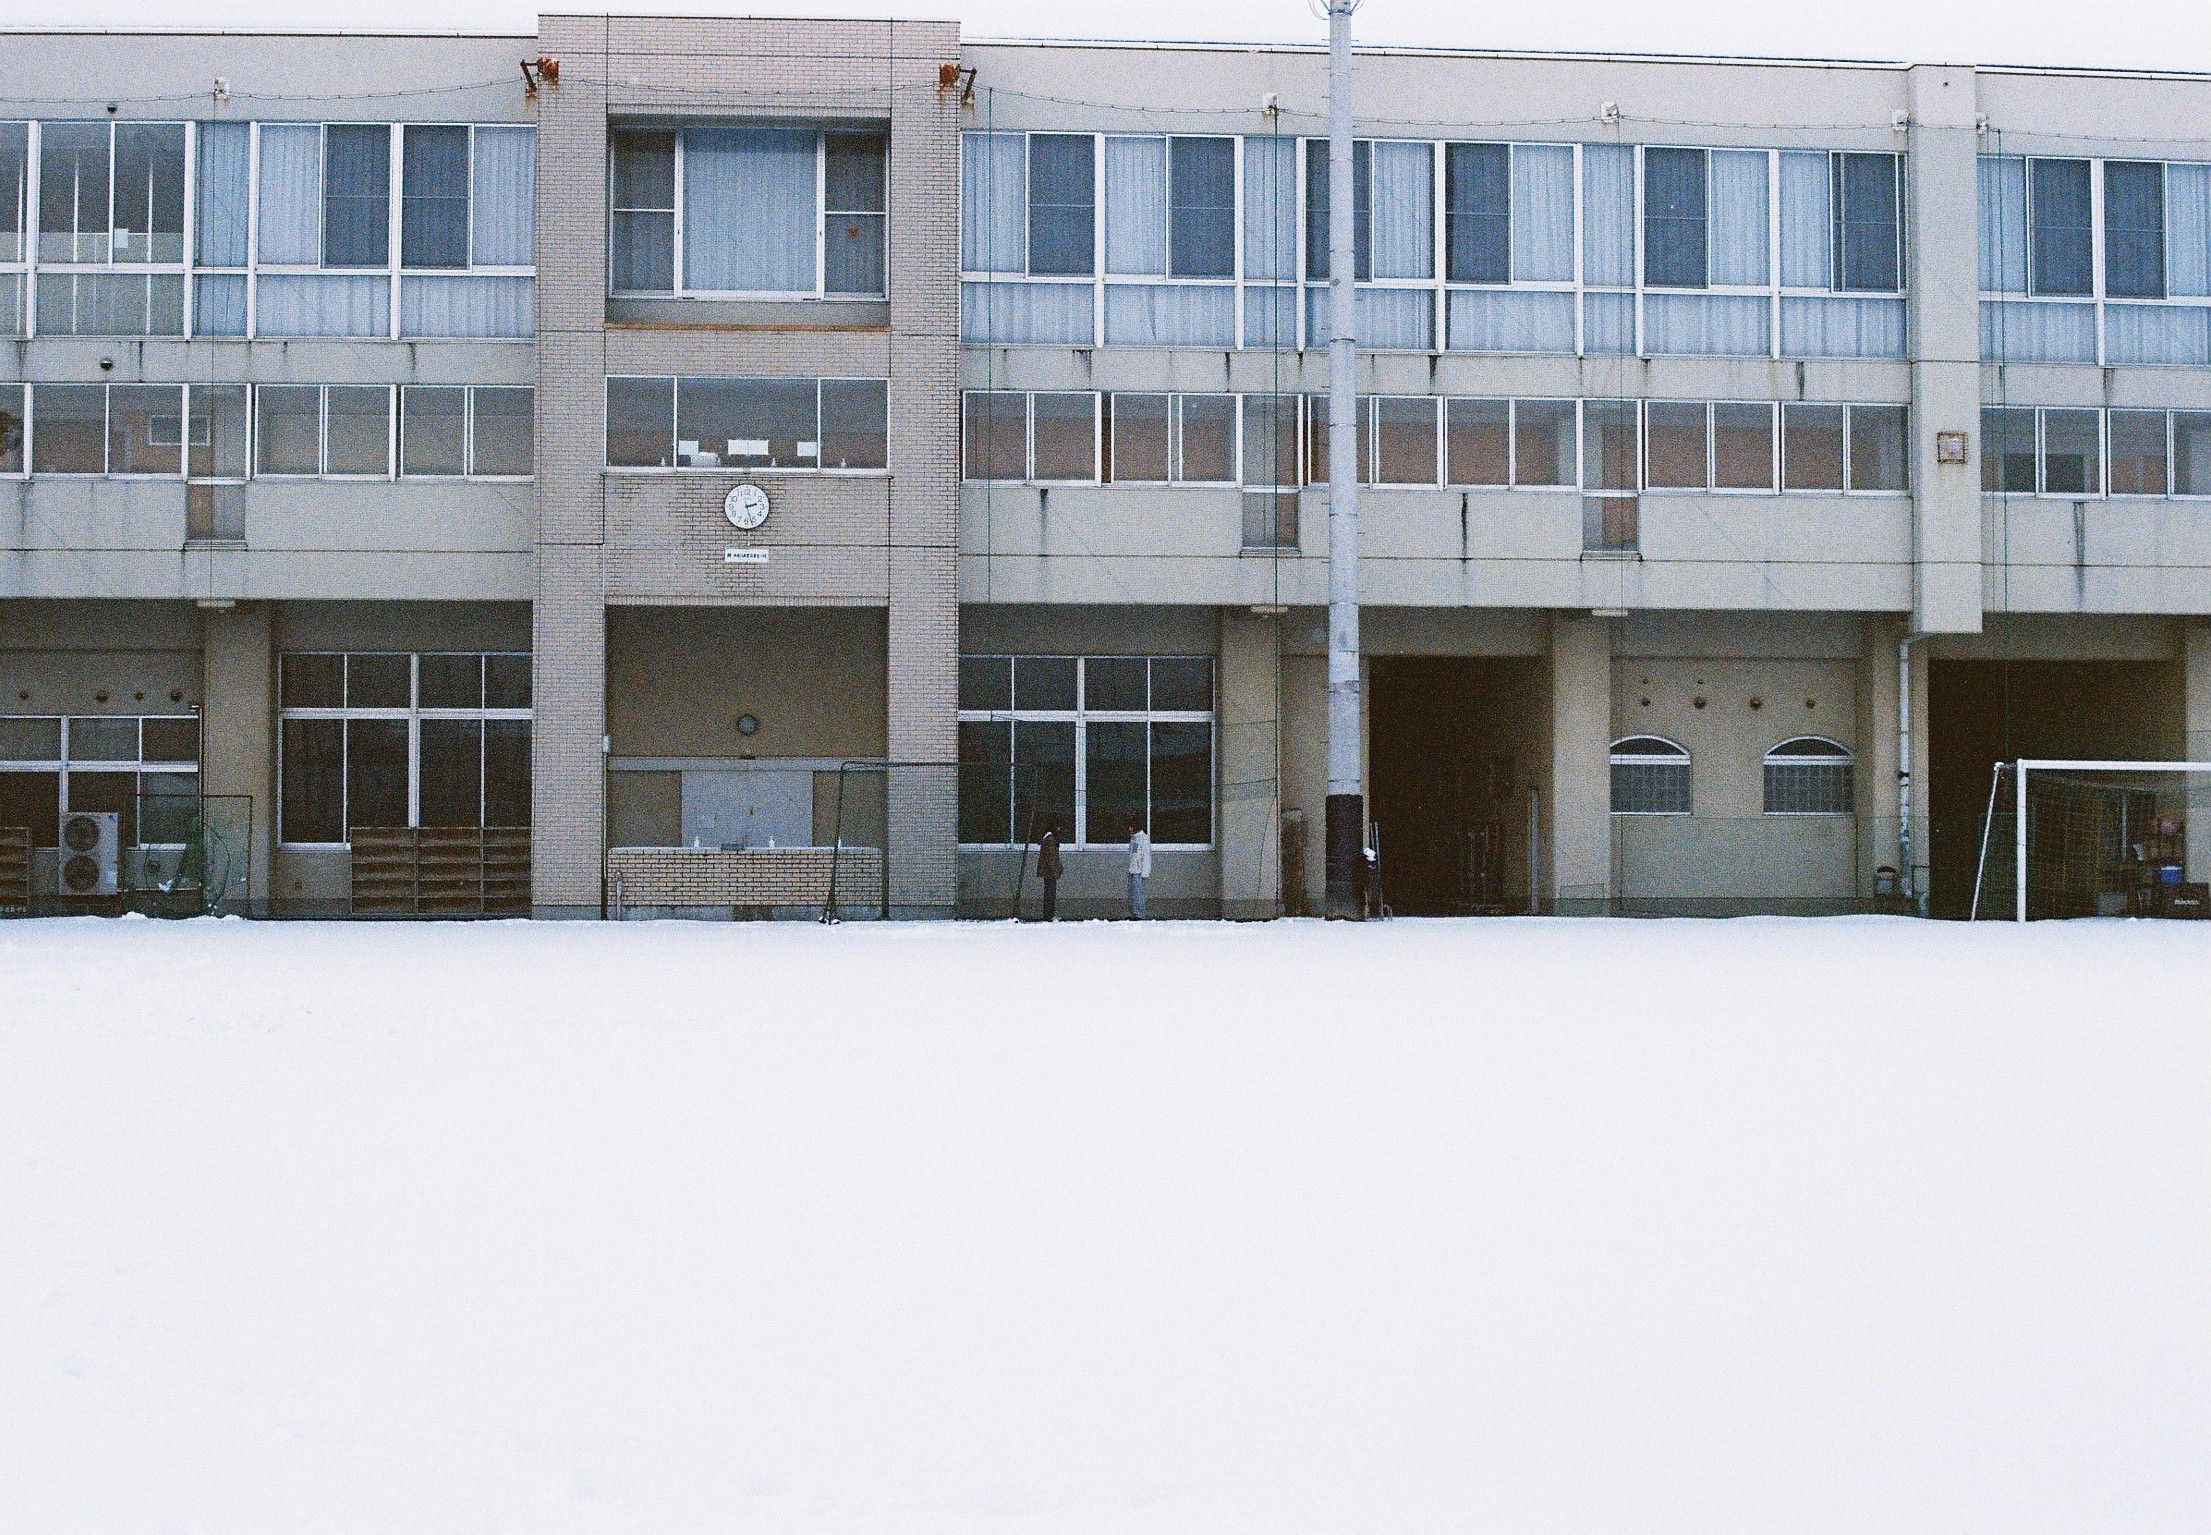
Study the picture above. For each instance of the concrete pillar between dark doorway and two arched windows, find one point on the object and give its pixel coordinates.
(1580, 789)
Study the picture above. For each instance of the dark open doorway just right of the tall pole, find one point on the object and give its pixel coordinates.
(1454, 753)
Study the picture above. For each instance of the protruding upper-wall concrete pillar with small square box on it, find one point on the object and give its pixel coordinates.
(1945, 342)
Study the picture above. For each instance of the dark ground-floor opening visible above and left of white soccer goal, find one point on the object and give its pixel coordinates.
(2000, 711)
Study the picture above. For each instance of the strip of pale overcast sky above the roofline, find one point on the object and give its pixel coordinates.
(2135, 34)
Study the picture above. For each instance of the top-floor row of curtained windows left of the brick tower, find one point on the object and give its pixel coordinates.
(282, 229)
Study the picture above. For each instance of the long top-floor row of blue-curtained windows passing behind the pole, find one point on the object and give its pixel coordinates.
(1213, 240)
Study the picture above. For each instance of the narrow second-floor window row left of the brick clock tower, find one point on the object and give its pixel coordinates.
(231, 432)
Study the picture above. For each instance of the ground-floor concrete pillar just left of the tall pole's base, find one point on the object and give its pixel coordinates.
(1250, 766)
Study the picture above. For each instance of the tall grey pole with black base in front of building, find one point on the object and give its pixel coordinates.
(1348, 797)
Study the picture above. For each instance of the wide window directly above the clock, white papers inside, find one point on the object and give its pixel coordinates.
(746, 424)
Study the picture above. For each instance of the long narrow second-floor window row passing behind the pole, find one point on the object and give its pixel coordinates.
(1283, 441)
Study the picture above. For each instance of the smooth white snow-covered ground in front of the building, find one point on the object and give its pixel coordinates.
(1208, 1231)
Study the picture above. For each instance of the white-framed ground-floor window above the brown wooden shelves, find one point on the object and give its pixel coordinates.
(401, 742)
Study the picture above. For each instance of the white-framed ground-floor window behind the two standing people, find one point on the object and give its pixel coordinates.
(1087, 746)
